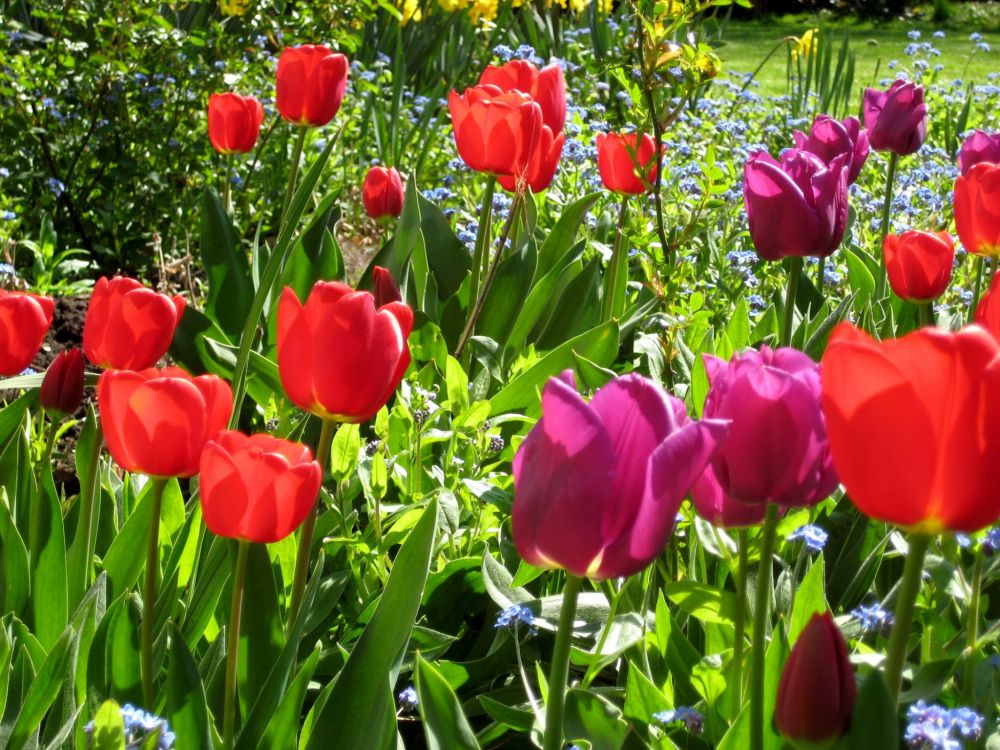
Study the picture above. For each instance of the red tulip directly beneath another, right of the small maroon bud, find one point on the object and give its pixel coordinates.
(156, 422)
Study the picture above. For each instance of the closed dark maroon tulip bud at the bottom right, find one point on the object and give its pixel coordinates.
(816, 691)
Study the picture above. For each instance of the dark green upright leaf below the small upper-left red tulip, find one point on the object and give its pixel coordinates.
(230, 290)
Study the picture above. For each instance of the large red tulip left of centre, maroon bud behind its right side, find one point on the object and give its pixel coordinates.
(339, 356)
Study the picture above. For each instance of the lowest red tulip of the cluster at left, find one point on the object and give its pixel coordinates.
(257, 487)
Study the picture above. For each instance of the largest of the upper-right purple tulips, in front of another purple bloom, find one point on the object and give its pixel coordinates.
(796, 206)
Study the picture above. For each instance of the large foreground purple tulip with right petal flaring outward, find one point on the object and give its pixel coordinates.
(597, 486)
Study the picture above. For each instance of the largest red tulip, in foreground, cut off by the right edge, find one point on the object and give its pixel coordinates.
(914, 425)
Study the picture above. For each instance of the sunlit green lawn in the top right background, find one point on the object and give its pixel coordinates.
(746, 44)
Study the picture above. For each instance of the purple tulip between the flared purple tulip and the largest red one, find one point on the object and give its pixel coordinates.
(776, 449)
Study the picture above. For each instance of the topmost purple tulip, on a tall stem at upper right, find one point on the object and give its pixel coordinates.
(896, 119)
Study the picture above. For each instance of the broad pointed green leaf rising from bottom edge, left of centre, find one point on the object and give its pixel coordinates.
(355, 714)
